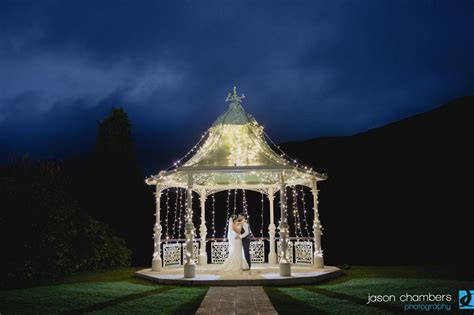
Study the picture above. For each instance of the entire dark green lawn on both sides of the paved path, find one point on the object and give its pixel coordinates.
(118, 292)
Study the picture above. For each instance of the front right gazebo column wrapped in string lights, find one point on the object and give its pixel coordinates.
(285, 264)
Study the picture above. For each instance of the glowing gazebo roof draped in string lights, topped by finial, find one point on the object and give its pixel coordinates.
(234, 153)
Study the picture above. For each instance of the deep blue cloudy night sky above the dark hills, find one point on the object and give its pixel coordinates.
(308, 68)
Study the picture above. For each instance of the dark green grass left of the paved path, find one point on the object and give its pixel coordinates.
(113, 291)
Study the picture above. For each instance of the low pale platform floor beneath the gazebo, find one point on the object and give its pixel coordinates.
(261, 274)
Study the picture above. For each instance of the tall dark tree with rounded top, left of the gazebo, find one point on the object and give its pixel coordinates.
(110, 186)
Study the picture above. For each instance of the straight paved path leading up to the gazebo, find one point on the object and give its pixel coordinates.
(236, 300)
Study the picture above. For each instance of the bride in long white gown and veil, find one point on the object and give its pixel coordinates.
(236, 261)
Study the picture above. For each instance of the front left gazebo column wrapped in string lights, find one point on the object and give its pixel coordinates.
(189, 266)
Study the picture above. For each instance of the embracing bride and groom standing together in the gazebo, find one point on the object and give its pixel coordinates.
(239, 236)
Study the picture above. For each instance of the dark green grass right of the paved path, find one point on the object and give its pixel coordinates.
(348, 294)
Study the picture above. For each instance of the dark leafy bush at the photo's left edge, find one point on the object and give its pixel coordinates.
(45, 232)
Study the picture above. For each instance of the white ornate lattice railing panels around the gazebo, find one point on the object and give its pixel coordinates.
(300, 250)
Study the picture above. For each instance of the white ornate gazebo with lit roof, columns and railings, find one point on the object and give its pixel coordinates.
(234, 154)
